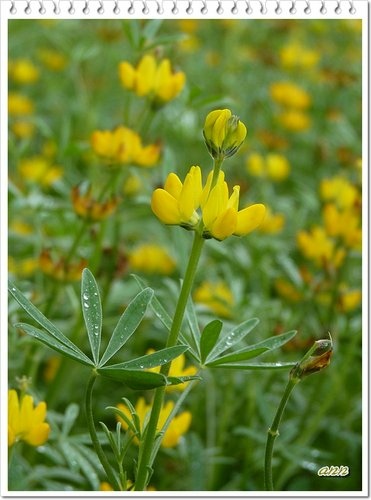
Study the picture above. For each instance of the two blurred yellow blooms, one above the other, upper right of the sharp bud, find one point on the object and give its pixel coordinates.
(294, 103)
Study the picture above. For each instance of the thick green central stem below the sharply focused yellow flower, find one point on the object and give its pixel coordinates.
(145, 456)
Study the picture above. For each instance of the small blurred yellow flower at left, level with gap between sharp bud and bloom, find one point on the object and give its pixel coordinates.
(39, 169)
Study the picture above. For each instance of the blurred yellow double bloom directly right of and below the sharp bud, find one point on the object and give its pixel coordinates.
(273, 166)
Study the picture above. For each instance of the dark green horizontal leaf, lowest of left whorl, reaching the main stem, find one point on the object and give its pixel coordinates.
(135, 379)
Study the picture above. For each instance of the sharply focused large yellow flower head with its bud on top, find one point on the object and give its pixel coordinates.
(209, 208)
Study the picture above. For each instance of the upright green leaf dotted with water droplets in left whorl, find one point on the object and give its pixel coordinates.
(92, 311)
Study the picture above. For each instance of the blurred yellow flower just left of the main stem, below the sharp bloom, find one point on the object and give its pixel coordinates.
(151, 258)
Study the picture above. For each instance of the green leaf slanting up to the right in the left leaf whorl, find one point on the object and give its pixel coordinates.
(128, 323)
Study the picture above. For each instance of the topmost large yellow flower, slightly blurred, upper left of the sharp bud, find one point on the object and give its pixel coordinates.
(151, 78)
